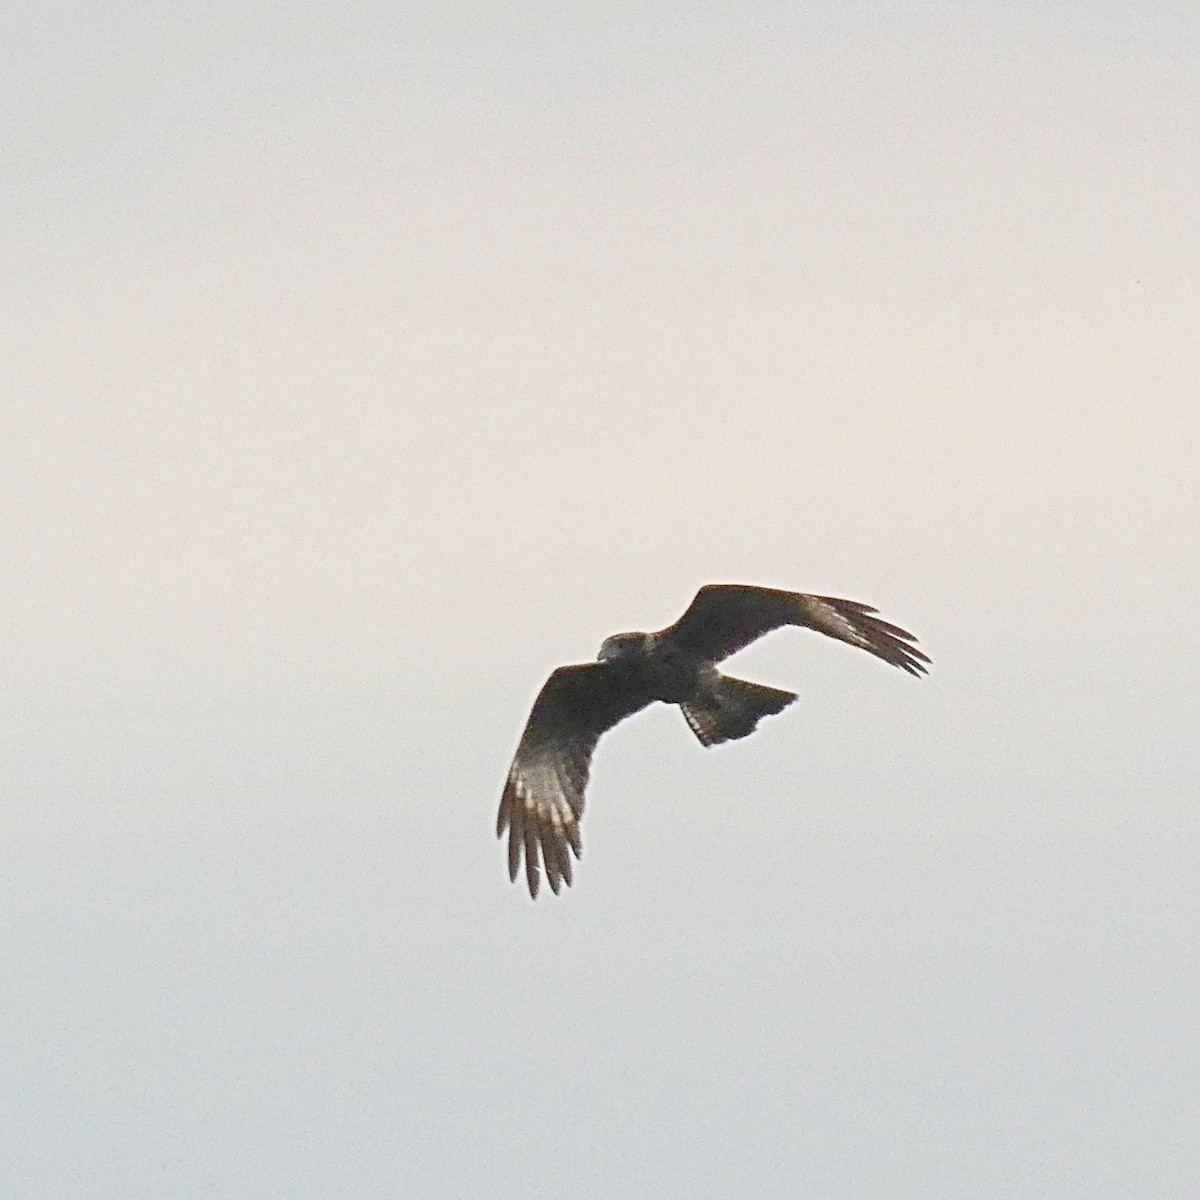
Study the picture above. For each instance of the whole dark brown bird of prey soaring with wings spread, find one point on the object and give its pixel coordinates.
(543, 799)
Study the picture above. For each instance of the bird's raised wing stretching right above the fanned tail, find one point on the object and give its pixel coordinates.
(727, 617)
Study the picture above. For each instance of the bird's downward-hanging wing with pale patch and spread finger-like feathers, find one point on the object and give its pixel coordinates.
(543, 800)
